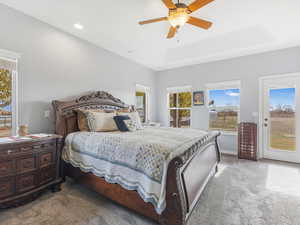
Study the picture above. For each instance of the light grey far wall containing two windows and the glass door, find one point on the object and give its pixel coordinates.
(247, 69)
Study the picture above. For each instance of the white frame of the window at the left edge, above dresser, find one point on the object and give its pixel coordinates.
(12, 56)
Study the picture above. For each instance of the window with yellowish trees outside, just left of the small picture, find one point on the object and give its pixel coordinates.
(179, 104)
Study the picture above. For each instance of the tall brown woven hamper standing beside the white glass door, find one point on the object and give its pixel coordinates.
(247, 141)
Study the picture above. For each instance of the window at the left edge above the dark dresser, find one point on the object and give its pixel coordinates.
(8, 73)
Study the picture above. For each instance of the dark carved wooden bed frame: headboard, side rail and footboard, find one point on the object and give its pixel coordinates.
(187, 174)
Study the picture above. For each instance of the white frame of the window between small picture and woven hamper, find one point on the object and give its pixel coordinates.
(236, 84)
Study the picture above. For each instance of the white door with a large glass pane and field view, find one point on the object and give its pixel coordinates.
(281, 127)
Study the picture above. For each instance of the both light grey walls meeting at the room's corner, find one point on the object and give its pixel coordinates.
(56, 65)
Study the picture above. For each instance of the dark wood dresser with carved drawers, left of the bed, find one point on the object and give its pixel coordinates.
(27, 168)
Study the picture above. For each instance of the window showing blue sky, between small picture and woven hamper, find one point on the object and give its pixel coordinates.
(224, 106)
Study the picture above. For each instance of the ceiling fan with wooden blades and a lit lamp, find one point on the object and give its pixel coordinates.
(179, 15)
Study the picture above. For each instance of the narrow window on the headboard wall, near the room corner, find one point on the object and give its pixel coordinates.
(142, 99)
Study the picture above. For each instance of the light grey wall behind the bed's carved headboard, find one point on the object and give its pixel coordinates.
(56, 65)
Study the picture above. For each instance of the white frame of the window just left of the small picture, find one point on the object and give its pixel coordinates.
(177, 90)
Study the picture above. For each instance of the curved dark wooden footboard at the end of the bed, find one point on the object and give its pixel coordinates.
(185, 183)
